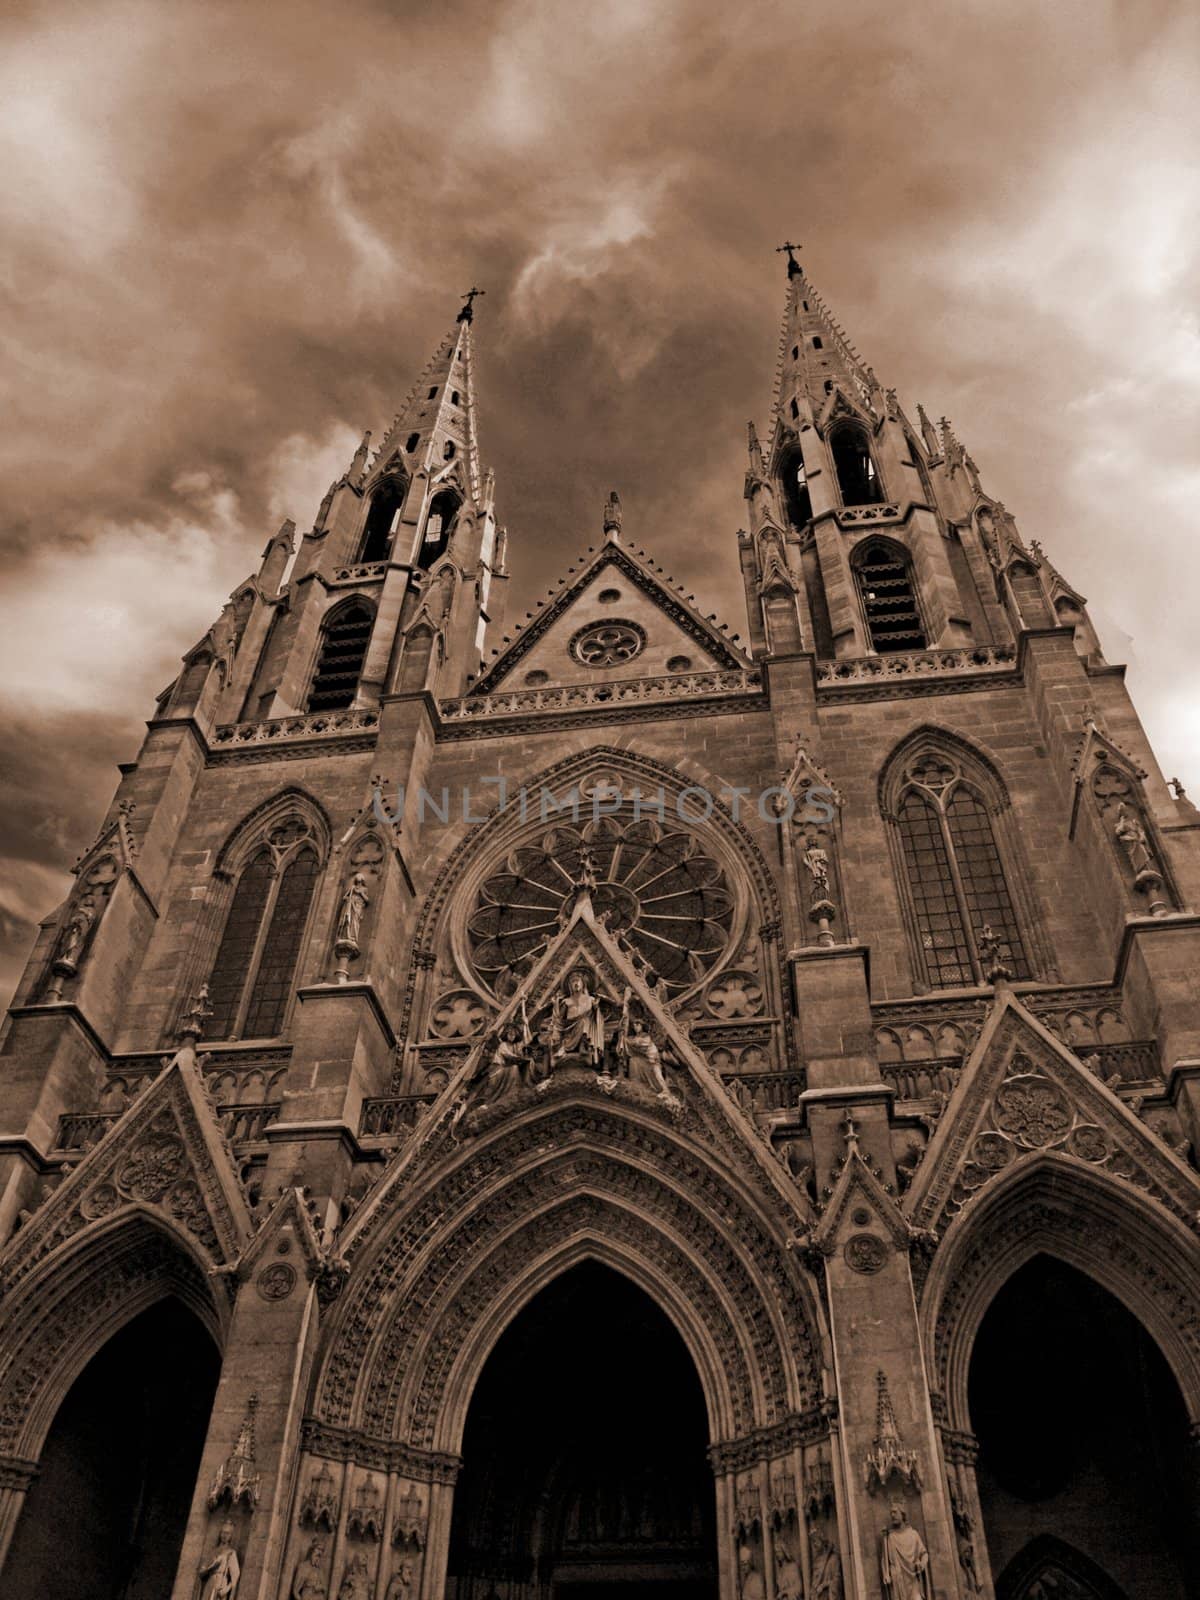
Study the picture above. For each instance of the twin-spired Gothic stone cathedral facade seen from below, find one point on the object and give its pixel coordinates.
(607, 1106)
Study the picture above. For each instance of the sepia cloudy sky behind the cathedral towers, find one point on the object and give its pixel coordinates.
(233, 233)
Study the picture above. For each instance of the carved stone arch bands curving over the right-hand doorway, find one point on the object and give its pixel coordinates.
(1050, 1206)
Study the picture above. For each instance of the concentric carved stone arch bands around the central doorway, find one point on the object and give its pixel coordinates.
(458, 1252)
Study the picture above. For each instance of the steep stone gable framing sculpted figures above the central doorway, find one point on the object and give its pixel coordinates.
(695, 1090)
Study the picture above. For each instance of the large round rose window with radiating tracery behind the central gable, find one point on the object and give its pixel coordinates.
(655, 886)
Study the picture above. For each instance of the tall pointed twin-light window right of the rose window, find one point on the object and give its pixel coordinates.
(959, 889)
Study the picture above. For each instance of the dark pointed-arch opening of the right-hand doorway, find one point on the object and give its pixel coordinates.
(1084, 1454)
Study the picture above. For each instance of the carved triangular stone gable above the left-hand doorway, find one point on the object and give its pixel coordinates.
(167, 1154)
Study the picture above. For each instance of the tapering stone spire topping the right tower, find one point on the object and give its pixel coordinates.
(815, 354)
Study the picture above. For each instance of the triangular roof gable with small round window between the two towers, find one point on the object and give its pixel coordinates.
(668, 622)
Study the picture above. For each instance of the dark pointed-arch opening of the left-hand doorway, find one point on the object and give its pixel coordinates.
(106, 1514)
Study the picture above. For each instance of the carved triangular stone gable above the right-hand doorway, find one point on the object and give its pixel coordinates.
(1025, 1095)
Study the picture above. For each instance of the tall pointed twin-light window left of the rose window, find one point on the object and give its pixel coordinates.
(255, 969)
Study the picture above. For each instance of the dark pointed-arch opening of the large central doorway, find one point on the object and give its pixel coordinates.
(585, 1470)
